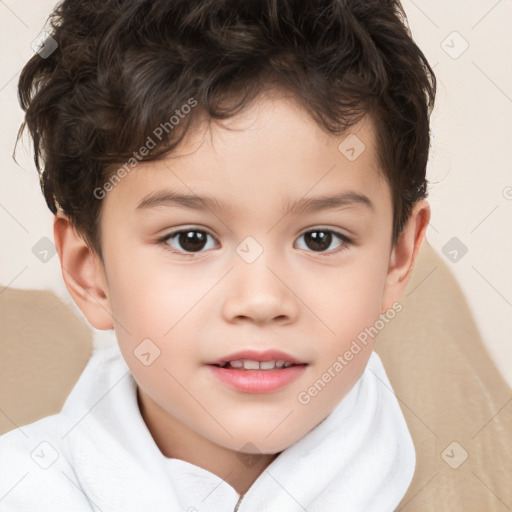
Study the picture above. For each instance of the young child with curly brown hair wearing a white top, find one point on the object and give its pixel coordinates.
(291, 139)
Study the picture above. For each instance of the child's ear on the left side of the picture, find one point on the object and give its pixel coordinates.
(83, 273)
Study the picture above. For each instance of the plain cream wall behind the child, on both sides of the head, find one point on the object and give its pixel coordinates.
(470, 168)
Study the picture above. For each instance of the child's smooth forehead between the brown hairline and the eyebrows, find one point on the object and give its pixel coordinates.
(271, 151)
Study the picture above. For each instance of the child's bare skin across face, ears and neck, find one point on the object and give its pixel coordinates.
(198, 307)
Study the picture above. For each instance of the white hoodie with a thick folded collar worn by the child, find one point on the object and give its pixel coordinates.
(98, 455)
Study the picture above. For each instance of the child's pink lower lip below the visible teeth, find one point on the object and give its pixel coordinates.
(258, 381)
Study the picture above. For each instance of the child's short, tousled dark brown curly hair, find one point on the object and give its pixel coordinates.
(123, 67)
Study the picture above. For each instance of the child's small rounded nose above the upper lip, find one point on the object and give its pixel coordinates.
(259, 294)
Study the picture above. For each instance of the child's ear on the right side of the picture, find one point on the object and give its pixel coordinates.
(404, 252)
